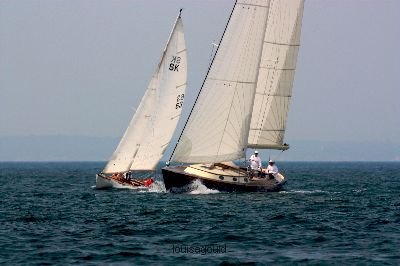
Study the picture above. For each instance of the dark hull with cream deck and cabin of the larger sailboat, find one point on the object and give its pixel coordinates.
(177, 178)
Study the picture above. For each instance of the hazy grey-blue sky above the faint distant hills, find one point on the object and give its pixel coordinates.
(72, 67)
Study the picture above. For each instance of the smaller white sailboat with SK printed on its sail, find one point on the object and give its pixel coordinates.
(154, 122)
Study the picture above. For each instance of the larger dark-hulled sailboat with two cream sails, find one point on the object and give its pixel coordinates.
(243, 102)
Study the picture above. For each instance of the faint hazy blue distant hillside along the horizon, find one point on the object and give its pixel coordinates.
(78, 148)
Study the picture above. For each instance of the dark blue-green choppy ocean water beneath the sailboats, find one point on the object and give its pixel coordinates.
(328, 213)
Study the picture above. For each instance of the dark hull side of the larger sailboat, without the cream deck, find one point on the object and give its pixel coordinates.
(176, 180)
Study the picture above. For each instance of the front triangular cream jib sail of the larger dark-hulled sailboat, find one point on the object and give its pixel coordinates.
(217, 129)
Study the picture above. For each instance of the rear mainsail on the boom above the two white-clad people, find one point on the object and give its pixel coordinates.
(276, 74)
